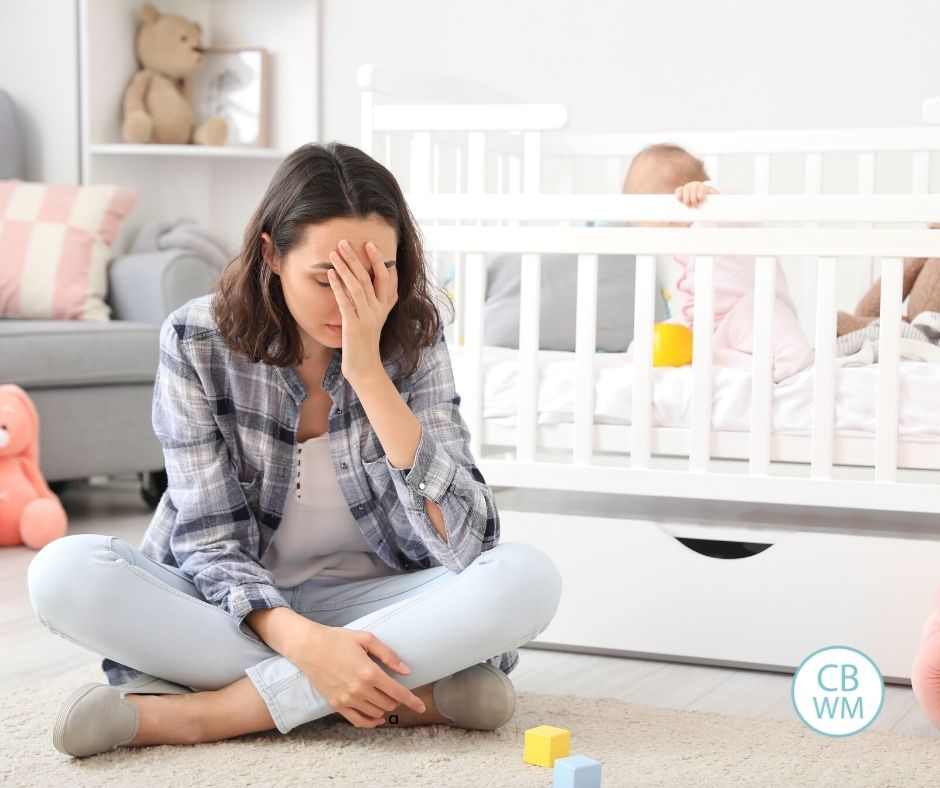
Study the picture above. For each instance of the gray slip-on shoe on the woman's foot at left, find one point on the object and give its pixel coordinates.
(96, 718)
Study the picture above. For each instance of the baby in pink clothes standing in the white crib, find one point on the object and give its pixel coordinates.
(669, 169)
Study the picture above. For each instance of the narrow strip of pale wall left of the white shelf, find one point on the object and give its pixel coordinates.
(39, 69)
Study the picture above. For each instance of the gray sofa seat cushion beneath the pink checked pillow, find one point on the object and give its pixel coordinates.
(55, 353)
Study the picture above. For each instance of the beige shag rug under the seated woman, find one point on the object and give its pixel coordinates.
(638, 745)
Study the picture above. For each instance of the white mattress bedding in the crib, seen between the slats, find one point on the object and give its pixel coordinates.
(856, 395)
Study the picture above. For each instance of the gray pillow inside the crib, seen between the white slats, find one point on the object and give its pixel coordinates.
(558, 302)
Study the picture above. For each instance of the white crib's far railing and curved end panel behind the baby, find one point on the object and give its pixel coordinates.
(439, 133)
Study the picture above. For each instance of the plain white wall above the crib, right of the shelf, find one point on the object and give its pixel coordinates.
(647, 66)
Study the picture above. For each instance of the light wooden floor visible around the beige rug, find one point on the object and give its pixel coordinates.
(113, 507)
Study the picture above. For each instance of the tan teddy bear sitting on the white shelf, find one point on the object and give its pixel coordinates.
(156, 103)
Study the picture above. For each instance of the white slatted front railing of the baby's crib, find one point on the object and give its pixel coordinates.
(541, 224)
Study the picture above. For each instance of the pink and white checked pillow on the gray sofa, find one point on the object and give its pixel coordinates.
(55, 245)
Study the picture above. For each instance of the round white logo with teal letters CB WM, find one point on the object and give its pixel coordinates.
(838, 691)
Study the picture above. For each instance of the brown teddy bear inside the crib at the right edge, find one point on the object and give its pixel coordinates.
(921, 286)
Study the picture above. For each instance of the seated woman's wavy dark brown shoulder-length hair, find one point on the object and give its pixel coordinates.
(314, 184)
